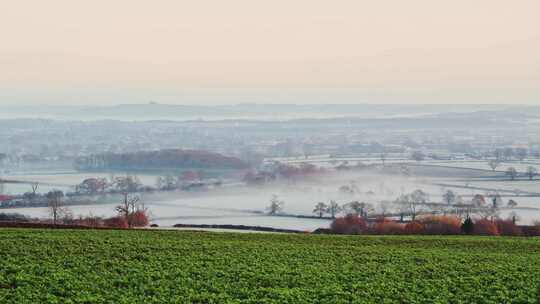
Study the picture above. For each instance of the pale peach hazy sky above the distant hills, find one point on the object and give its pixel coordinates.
(72, 52)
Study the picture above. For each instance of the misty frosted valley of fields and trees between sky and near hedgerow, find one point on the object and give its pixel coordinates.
(190, 165)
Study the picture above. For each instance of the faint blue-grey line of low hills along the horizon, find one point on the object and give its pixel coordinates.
(156, 111)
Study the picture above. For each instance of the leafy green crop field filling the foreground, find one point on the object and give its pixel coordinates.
(79, 266)
